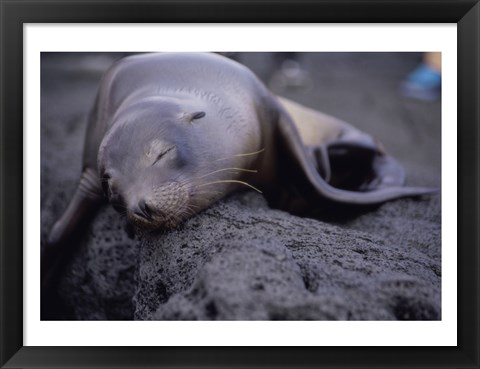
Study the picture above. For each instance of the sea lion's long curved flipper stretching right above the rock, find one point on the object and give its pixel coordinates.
(296, 151)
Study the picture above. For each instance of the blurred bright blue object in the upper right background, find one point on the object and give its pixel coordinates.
(424, 83)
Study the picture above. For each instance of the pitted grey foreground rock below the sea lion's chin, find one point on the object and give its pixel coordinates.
(242, 260)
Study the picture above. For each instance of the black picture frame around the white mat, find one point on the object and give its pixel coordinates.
(465, 13)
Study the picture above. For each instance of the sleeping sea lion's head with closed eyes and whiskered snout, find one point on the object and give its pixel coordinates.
(149, 160)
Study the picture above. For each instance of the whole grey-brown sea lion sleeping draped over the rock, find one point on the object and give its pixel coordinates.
(172, 133)
